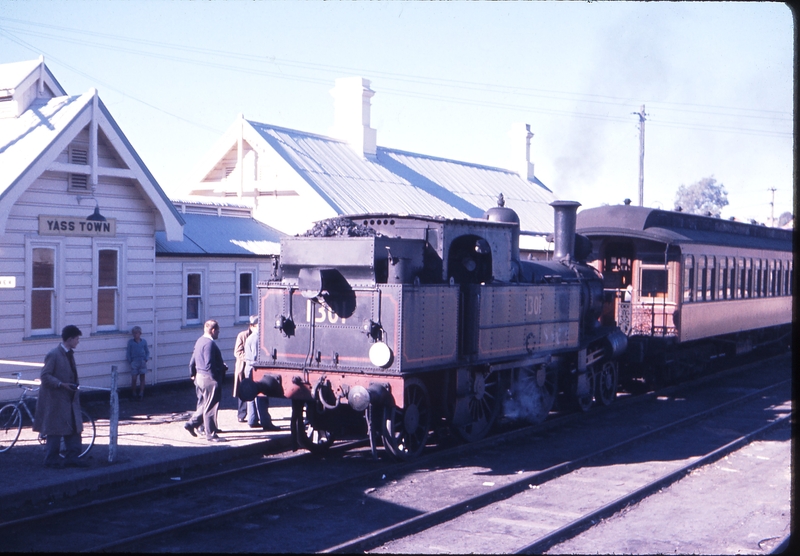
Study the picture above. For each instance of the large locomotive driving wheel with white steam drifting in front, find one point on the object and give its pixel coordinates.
(533, 393)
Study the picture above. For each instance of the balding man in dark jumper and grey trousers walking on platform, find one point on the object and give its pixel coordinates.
(208, 372)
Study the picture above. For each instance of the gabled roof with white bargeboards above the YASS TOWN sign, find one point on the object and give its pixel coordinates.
(31, 143)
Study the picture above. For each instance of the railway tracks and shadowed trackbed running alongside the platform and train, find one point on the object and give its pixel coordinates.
(350, 502)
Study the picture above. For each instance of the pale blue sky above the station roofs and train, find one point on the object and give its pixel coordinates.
(450, 79)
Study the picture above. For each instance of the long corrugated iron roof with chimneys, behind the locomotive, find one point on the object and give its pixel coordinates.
(401, 182)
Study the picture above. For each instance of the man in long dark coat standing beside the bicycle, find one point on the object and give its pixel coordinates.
(58, 410)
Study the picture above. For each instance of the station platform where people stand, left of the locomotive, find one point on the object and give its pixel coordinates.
(150, 440)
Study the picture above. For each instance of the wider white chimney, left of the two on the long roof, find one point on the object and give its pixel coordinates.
(351, 115)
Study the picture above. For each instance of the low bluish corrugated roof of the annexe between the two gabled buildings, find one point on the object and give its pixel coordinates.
(205, 234)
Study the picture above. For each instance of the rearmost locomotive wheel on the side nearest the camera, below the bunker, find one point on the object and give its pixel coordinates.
(406, 430)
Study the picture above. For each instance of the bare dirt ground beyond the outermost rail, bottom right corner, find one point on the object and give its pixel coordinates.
(741, 504)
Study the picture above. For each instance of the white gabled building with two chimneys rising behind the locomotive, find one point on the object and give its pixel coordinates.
(295, 178)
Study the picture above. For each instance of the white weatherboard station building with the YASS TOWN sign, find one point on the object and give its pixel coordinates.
(88, 237)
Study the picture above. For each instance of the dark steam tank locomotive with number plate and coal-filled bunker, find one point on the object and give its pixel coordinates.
(416, 321)
